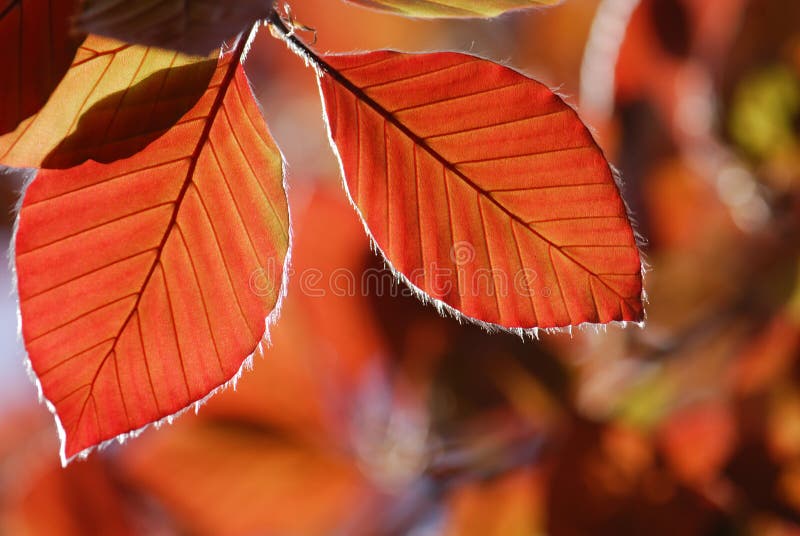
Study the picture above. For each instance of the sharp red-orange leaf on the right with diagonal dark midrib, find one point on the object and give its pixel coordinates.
(483, 189)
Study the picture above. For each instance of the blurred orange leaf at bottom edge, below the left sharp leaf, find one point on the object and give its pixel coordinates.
(237, 481)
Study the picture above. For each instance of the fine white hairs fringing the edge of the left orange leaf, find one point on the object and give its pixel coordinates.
(264, 343)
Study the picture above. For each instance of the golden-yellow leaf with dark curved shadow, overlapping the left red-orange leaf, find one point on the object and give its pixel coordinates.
(114, 100)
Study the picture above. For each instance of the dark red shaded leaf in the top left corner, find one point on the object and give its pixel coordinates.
(37, 51)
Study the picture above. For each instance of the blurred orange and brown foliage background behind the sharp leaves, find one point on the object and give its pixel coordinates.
(371, 415)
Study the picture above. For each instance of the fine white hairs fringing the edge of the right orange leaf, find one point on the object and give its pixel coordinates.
(441, 307)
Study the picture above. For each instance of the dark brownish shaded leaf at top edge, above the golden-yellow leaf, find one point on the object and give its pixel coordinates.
(190, 26)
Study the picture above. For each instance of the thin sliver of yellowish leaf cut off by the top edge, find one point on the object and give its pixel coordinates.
(451, 8)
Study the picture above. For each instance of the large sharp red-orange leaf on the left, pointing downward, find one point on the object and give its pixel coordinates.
(135, 277)
